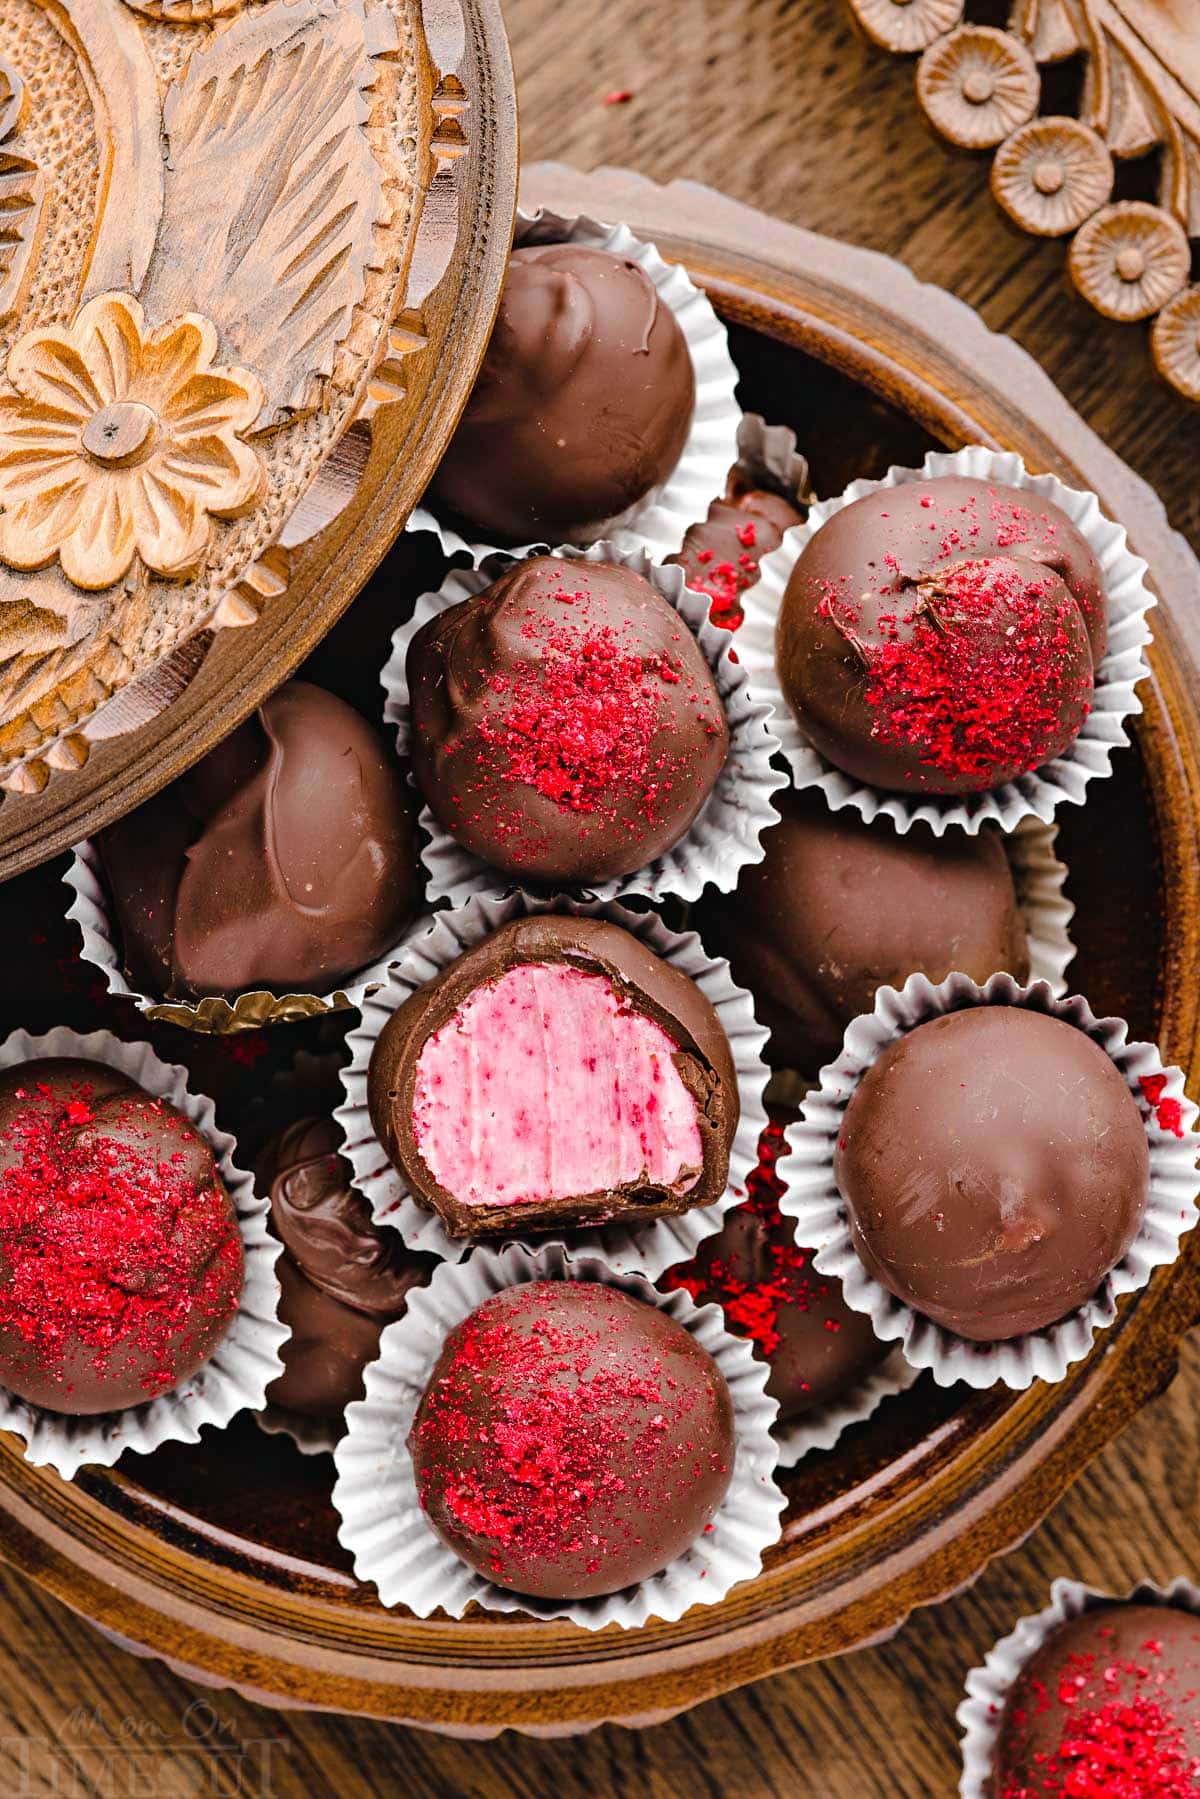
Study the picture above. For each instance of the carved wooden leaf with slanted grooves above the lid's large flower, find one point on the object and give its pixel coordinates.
(273, 193)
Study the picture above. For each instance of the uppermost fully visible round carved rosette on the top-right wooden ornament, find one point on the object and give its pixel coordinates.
(978, 85)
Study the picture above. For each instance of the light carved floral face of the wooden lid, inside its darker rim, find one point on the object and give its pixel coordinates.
(206, 211)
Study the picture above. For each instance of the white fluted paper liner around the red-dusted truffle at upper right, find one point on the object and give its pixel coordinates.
(1106, 729)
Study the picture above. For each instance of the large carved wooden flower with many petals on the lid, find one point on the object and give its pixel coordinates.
(121, 442)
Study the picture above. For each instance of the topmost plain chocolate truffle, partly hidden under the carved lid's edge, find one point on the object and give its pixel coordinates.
(584, 402)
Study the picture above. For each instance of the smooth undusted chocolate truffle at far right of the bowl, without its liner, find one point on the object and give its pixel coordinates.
(996, 1168)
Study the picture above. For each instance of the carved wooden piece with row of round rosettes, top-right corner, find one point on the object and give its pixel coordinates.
(1055, 177)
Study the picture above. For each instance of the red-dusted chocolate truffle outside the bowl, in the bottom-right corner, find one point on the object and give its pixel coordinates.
(1107, 1706)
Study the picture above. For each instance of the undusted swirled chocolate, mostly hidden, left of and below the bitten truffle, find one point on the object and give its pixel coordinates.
(343, 1276)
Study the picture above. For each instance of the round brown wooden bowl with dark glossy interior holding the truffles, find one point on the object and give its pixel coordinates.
(224, 1559)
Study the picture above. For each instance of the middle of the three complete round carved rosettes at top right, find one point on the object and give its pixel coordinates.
(1052, 175)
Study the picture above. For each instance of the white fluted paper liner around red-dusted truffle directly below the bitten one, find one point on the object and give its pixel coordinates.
(375, 1492)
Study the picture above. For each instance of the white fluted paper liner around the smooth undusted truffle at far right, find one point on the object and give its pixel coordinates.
(814, 1201)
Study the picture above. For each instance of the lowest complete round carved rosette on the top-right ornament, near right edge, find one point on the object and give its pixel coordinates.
(1131, 260)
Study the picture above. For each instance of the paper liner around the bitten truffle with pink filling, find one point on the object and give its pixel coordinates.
(641, 1249)
